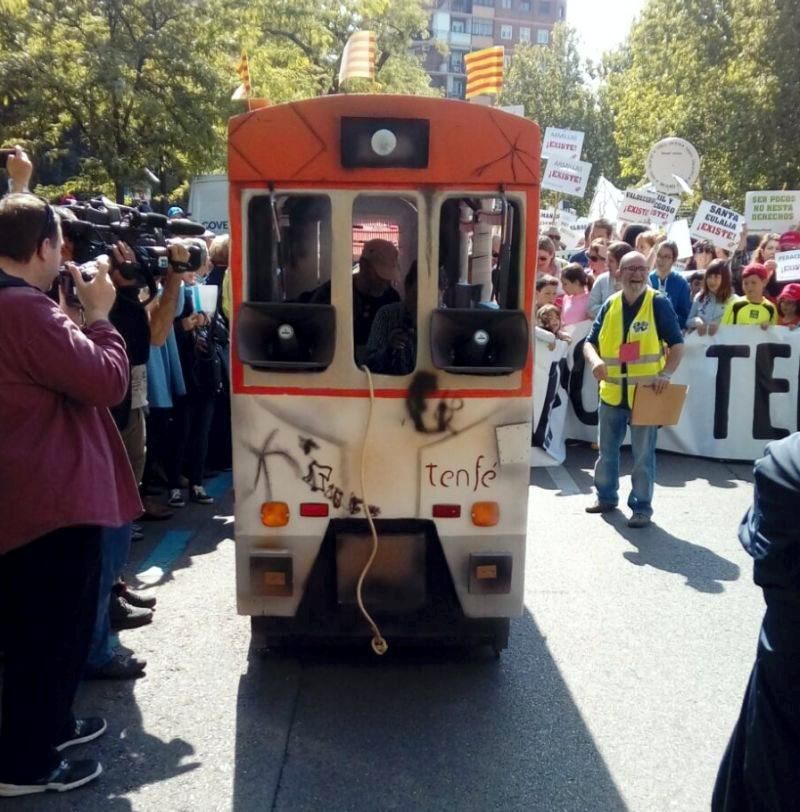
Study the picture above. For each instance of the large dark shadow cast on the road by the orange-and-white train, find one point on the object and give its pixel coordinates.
(424, 730)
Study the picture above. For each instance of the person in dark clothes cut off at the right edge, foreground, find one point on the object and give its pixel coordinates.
(761, 766)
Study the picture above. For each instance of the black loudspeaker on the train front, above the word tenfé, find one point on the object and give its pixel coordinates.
(479, 342)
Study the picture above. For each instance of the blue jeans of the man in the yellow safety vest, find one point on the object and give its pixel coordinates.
(613, 423)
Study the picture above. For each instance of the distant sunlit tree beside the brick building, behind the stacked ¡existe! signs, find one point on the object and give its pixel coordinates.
(554, 86)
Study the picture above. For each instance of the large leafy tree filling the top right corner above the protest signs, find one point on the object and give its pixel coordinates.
(724, 75)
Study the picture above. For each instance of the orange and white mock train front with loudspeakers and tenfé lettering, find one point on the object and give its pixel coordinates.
(435, 446)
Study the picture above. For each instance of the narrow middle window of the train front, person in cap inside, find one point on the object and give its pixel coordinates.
(385, 283)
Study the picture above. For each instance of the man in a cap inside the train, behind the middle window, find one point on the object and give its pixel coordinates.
(372, 289)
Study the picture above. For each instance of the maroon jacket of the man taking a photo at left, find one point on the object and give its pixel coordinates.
(62, 461)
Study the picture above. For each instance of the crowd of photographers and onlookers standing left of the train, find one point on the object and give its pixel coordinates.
(119, 406)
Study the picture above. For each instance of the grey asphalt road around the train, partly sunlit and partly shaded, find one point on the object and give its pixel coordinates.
(619, 689)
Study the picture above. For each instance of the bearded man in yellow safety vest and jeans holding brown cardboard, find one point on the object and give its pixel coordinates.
(625, 349)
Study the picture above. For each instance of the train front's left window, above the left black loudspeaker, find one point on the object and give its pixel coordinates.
(289, 249)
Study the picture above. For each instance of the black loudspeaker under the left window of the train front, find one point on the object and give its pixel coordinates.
(286, 337)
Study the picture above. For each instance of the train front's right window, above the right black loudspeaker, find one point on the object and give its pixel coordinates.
(479, 253)
